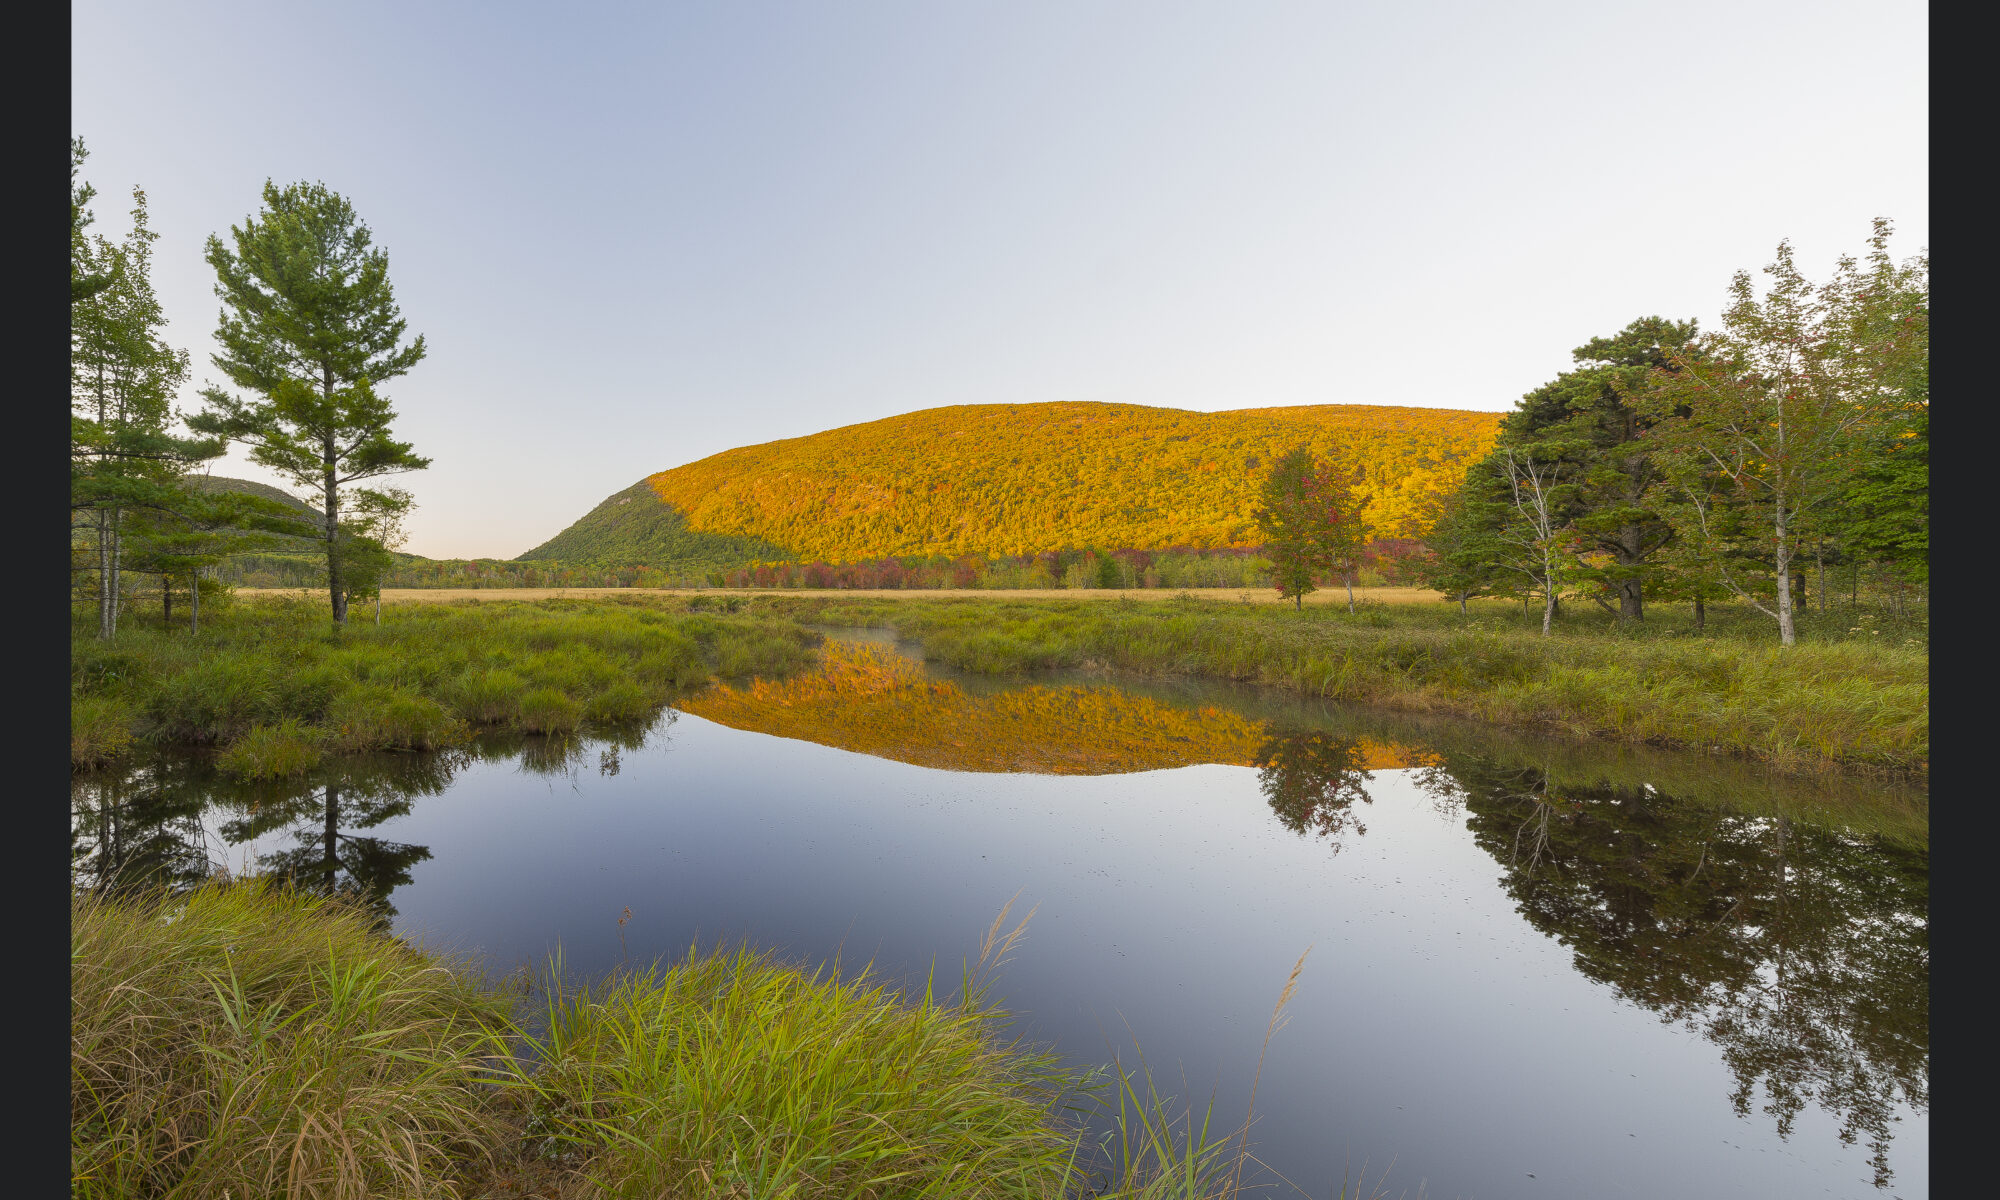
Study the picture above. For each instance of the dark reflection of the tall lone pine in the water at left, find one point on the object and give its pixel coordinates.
(327, 855)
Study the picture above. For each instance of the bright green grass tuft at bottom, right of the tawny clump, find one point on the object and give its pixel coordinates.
(731, 1073)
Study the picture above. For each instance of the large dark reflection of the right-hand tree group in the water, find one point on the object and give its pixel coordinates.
(1801, 951)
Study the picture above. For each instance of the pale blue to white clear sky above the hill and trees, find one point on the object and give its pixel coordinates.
(637, 235)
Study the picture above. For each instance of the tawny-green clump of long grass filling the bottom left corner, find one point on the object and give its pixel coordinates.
(257, 1043)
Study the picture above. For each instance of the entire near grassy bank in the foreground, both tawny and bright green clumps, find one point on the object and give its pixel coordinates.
(257, 1043)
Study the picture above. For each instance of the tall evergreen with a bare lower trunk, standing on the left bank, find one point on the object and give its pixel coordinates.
(311, 327)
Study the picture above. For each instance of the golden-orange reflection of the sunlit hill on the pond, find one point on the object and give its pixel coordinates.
(873, 701)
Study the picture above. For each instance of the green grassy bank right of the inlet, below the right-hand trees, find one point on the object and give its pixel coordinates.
(1843, 699)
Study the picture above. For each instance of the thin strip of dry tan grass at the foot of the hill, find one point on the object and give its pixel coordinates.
(1231, 595)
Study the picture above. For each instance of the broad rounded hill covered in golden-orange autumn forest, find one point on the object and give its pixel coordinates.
(1019, 479)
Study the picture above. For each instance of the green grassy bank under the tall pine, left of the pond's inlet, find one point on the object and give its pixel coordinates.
(277, 689)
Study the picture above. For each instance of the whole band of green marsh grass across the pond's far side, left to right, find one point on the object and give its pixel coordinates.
(275, 689)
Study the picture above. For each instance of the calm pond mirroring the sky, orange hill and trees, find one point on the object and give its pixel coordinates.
(1537, 969)
